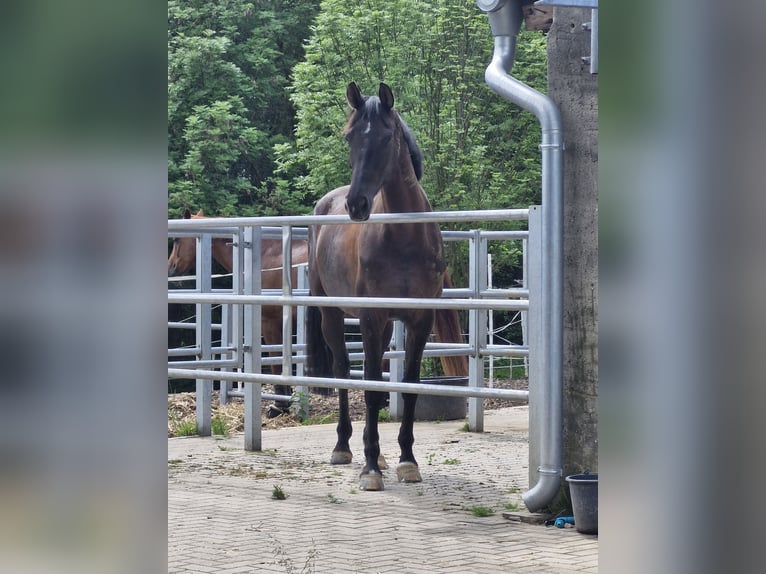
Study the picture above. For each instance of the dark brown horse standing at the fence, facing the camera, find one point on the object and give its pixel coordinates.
(377, 260)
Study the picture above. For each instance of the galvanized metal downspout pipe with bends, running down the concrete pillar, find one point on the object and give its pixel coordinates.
(505, 18)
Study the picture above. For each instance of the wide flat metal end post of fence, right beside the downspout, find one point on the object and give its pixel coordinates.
(533, 276)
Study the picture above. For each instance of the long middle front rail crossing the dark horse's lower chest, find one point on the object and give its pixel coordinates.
(349, 302)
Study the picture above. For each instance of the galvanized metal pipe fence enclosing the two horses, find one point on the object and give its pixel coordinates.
(240, 349)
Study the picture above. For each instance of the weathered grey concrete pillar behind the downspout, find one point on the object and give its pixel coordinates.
(575, 91)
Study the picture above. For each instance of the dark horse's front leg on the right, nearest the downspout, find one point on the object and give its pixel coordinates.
(418, 330)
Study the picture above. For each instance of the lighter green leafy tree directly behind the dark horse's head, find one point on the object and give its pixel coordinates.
(480, 151)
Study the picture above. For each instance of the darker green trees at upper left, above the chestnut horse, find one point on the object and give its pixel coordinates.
(228, 69)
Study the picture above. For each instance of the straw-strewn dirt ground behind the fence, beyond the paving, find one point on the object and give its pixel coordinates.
(181, 408)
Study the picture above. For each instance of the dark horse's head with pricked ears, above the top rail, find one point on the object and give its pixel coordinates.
(373, 132)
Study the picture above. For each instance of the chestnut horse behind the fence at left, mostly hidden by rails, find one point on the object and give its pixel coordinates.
(183, 258)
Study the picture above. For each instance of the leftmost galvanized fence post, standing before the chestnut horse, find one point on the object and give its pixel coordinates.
(204, 387)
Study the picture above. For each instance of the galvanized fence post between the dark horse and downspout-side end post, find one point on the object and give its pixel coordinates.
(477, 328)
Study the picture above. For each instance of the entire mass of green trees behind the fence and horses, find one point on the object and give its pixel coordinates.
(256, 106)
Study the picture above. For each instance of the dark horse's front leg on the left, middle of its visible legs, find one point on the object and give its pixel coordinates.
(376, 332)
